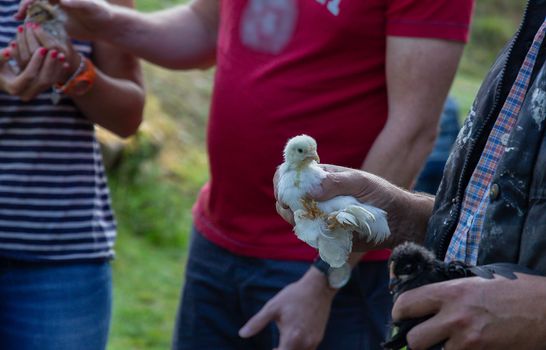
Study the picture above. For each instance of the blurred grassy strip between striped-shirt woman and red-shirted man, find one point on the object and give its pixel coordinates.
(153, 190)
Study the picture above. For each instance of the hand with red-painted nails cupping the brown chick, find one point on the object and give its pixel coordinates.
(44, 69)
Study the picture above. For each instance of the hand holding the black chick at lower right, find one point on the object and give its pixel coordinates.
(477, 313)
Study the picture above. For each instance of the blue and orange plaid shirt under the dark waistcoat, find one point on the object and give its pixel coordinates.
(466, 239)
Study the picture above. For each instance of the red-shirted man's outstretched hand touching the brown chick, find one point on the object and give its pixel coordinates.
(86, 19)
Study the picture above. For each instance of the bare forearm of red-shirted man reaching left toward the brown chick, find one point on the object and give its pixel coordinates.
(179, 38)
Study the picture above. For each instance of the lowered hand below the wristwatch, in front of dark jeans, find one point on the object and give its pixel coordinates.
(301, 311)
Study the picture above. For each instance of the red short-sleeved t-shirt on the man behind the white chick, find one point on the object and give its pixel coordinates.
(288, 67)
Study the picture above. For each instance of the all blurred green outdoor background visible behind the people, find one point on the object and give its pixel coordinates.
(155, 177)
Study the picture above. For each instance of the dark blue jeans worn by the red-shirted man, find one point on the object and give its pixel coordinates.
(222, 291)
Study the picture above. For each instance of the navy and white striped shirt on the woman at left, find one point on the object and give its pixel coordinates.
(54, 199)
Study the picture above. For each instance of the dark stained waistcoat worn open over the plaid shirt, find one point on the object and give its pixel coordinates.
(515, 216)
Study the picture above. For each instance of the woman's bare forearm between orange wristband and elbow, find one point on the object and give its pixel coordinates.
(114, 104)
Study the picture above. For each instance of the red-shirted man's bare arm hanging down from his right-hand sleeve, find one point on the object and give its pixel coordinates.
(419, 75)
